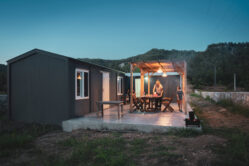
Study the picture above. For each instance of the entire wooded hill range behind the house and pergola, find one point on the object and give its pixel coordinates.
(228, 58)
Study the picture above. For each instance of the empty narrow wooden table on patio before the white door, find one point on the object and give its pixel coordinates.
(118, 103)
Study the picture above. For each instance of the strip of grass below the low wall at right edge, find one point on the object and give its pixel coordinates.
(234, 108)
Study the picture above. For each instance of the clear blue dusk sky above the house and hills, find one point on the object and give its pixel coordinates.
(118, 29)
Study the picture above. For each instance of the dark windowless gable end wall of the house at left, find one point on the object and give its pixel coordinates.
(39, 89)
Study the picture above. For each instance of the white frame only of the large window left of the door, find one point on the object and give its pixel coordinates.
(83, 88)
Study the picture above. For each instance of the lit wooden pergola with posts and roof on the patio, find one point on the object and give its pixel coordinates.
(162, 66)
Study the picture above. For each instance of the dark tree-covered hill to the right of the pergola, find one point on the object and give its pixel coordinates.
(228, 58)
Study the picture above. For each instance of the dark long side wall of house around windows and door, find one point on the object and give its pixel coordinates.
(84, 106)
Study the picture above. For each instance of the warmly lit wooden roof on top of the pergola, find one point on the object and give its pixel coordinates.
(165, 66)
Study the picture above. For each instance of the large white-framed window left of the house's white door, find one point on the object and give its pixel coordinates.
(81, 84)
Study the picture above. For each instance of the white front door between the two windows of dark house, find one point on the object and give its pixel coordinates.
(106, 88)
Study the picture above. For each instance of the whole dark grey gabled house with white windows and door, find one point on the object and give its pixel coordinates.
(48, 88)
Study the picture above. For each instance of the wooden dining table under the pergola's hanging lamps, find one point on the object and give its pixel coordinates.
(152, 100)
